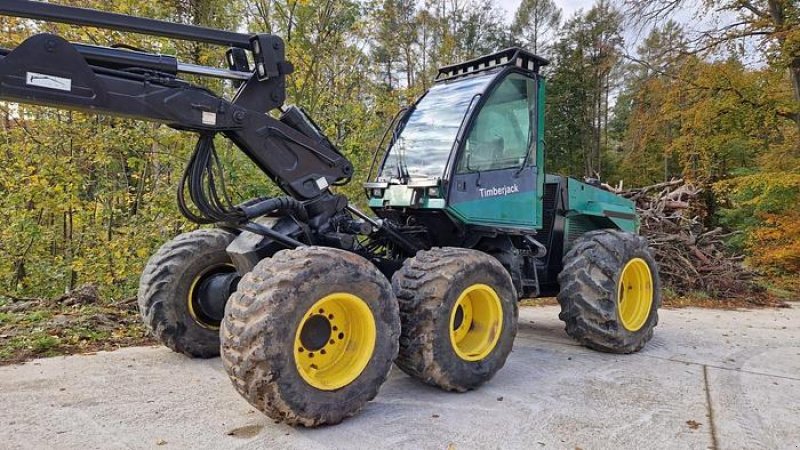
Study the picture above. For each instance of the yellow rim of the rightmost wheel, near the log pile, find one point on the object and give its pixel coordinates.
(635, 294)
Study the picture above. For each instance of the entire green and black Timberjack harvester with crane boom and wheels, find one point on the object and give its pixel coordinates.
(294, 292)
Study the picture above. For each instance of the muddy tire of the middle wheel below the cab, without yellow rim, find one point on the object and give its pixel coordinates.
(428, 288)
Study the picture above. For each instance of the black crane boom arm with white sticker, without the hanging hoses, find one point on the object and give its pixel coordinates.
(48, 70)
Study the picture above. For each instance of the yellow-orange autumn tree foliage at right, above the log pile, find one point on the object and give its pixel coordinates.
(721, 122)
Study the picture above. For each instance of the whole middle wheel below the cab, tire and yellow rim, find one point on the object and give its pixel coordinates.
(459, 317)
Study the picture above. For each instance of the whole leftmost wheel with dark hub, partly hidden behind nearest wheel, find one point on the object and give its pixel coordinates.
(183, 290)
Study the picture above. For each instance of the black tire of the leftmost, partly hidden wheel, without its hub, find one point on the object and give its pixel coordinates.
(165, 287)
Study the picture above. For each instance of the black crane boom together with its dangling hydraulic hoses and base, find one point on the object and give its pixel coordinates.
(291, 150)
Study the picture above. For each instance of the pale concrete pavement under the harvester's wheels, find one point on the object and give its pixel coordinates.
(551, 394)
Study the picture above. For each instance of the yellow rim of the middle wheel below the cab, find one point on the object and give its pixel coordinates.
(476, 322)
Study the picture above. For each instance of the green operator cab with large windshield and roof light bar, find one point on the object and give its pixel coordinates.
(469, 152)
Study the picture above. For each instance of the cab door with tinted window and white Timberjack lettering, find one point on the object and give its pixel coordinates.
(494, 181)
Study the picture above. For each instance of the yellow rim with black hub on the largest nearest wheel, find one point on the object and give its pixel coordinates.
(335, 341)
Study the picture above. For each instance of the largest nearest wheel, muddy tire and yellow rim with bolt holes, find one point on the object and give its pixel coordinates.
(310, 335)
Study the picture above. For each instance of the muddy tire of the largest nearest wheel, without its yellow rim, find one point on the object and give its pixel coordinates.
(263, 319)
